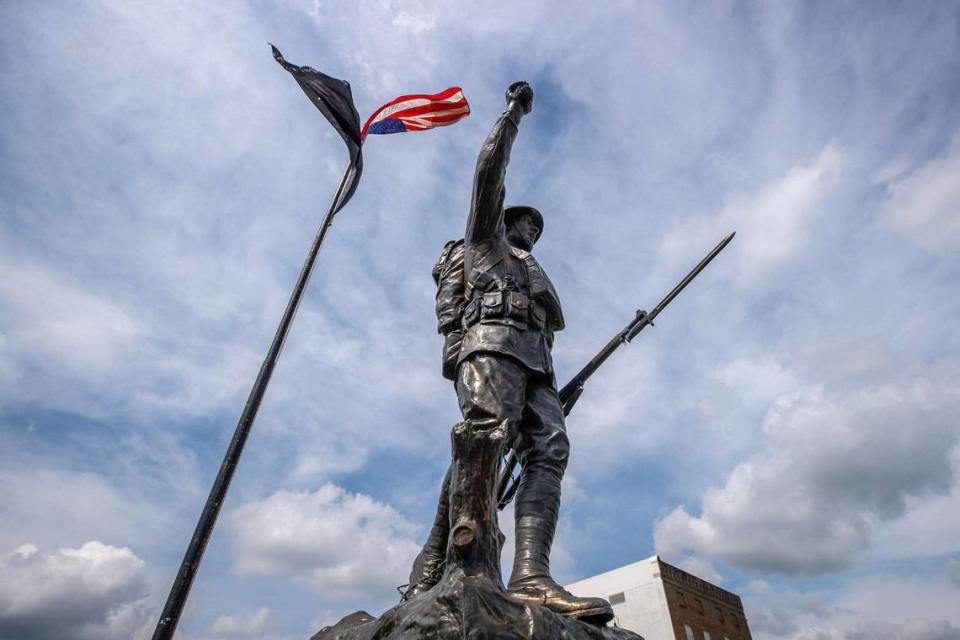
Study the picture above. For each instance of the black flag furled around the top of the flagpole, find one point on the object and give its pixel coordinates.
(335, 101)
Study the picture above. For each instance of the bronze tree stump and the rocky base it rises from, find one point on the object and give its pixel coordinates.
(469, 602)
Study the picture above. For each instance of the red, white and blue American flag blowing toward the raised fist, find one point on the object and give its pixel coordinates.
(418, 112)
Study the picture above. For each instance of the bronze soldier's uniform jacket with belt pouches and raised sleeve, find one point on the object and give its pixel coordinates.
(500, 298)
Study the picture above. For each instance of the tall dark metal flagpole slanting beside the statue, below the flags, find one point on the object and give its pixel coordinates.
(167, 624)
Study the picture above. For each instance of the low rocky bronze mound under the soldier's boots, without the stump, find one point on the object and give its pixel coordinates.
(467, 608)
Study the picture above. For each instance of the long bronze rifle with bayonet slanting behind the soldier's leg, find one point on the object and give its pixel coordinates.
(571, 392)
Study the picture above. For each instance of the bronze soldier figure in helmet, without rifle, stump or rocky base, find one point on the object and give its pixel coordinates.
(498, 312)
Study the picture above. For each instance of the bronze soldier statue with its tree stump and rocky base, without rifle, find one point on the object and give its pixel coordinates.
(498, 312)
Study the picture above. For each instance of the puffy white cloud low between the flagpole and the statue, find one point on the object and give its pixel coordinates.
(341, 544)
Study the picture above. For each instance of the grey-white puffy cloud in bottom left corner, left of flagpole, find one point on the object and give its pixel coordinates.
(94, 592)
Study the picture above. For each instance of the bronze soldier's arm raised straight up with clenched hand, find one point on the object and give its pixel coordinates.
(486, 205)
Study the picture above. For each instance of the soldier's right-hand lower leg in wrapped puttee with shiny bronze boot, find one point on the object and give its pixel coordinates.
(537, 510)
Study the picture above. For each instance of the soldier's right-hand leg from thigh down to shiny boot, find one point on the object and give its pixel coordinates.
(543, 448)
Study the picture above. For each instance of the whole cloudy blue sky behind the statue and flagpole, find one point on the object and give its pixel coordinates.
(790, 427)
